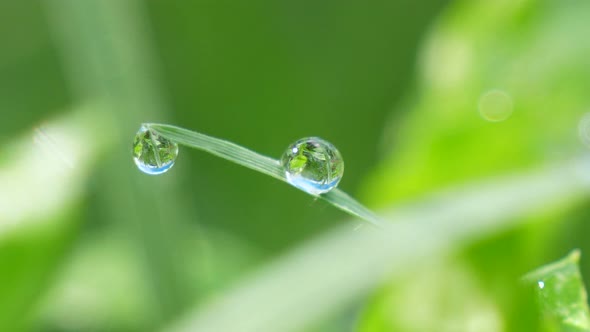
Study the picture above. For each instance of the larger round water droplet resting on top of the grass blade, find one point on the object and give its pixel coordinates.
(313, 165)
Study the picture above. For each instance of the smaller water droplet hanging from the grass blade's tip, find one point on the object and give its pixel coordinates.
(152, 153)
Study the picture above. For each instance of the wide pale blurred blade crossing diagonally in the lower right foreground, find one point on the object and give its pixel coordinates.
(325, 274)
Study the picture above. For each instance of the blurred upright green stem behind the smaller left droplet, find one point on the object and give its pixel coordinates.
(105, 48)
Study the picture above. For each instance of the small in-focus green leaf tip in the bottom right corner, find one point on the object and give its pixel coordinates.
(561, 293)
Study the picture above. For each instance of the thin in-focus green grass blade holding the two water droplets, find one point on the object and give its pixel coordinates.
(255, 161)
